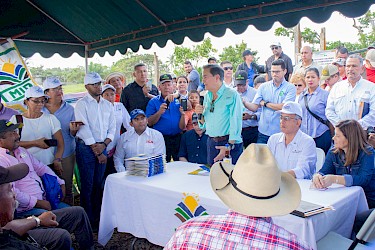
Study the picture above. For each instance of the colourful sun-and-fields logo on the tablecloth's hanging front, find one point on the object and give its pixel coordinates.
(189, 207)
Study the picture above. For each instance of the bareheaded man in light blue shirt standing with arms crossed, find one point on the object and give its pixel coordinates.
(271, 96)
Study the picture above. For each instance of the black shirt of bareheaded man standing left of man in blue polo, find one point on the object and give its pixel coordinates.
(132, 97)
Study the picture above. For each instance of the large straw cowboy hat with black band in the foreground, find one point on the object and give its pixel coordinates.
(255, 186)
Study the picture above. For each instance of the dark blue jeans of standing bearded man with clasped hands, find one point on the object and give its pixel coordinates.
(92, 180)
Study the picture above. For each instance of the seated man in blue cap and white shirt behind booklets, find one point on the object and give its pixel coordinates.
(140, 140)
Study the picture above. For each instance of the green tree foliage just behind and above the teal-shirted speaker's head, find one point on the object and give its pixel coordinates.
(196, 54)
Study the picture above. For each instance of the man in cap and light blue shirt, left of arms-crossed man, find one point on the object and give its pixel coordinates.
(249, 118)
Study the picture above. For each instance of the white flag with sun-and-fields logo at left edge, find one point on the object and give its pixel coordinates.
(15, 78)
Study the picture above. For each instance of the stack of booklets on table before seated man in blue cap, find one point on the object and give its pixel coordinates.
(146, 166)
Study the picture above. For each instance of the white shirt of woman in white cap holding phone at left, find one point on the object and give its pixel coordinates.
(33, 129)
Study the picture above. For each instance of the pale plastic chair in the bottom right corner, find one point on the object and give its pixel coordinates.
(335, 241)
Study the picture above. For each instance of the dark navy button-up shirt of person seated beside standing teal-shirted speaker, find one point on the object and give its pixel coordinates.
(194, 147)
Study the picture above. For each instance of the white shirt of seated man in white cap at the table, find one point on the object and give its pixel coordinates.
(299, 155)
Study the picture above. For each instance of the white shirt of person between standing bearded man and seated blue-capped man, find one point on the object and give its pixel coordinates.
(122, 117)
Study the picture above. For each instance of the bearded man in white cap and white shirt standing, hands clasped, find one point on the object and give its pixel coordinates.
(97, 115)
